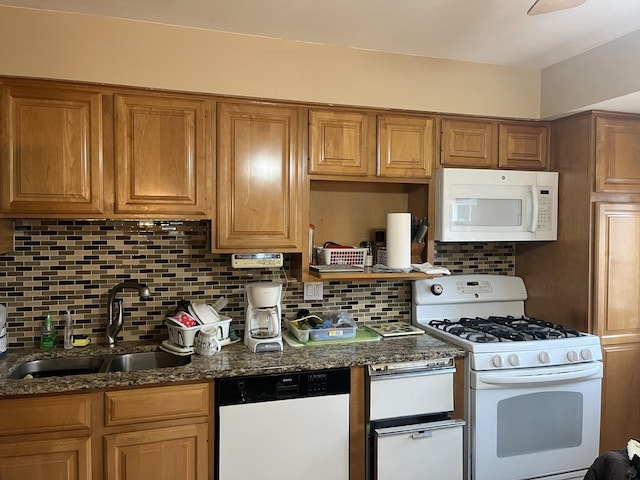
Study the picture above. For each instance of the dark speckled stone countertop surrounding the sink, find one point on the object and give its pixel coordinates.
(234, 360)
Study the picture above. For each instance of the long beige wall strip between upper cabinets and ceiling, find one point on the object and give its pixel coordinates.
(108, 50)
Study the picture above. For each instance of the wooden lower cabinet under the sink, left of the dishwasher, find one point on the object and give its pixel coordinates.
(158, 432)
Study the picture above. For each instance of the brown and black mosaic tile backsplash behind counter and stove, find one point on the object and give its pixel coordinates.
(60, 265)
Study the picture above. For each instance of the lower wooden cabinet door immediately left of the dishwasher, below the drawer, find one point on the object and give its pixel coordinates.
(162, 454)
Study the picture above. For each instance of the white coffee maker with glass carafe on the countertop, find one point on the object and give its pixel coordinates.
(263, 310)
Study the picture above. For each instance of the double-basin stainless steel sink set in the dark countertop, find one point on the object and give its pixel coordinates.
(127, 362)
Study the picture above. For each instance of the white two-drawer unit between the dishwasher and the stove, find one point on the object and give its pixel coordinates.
(411, 434)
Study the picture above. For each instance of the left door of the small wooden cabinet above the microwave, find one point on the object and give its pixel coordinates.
(469, 143)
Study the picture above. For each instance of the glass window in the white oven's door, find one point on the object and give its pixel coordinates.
(537, 422)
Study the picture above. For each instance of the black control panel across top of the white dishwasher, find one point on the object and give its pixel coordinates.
(282, 386)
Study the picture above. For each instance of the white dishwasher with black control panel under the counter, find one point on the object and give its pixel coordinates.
(283, 426)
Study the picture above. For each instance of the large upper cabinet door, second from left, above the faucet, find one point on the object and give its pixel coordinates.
(162, 156)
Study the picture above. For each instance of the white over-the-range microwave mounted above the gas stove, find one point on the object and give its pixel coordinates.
(478, 205)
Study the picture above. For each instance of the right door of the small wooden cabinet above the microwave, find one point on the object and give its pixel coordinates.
(524, 146)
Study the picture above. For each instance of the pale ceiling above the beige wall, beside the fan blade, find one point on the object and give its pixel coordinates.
(486, 31)
